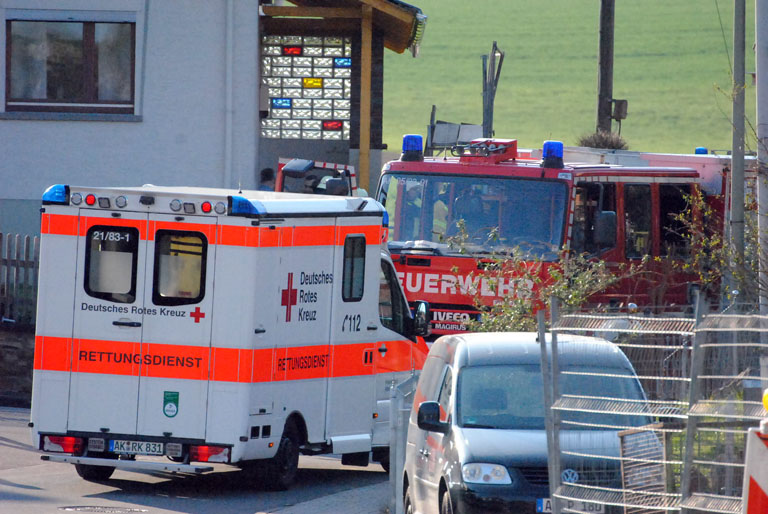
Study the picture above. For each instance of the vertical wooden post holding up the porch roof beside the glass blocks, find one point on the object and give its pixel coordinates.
(364, 163)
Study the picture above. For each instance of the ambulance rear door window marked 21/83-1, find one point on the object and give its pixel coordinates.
(111, 256)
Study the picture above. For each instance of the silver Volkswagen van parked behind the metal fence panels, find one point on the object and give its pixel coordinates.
(476, 437)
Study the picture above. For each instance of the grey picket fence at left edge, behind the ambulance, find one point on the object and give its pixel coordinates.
(19, 264)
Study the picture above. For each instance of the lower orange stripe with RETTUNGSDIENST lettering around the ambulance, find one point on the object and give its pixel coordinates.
(228, 364)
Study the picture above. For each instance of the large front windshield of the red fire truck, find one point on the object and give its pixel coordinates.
(495, 214)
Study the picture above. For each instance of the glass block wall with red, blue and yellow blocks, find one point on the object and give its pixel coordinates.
(309, 84)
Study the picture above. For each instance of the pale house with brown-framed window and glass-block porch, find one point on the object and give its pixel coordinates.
(199, 93)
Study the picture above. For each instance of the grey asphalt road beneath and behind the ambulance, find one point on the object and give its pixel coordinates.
(31, 486)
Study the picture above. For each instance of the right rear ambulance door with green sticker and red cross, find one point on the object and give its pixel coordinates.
(176, 342)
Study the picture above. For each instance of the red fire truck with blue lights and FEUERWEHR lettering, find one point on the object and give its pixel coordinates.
(538, 205)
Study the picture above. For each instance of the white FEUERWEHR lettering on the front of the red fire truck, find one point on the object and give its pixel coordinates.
(436, 283)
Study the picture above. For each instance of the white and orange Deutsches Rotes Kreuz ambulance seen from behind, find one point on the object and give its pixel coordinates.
(180, 327)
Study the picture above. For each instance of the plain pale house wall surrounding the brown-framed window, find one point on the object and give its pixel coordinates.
(187, 130)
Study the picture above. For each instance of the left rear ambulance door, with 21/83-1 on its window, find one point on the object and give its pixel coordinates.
(108, 319)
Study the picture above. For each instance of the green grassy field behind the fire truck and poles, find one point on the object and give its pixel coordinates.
(672, 63)
